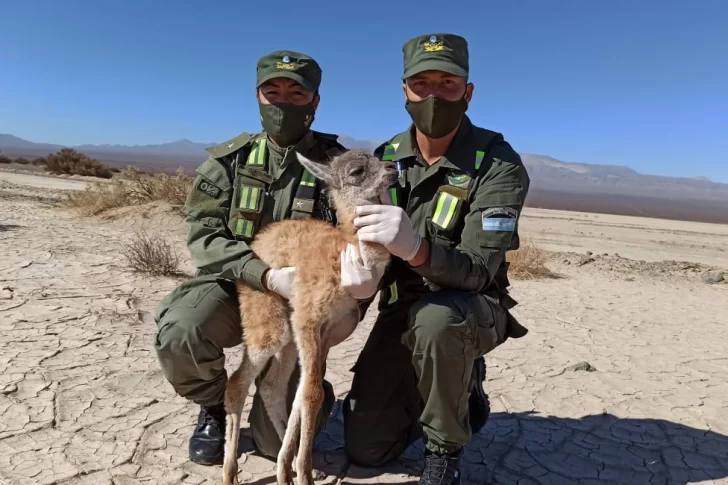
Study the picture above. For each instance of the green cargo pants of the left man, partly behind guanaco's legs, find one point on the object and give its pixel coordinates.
(195, 322)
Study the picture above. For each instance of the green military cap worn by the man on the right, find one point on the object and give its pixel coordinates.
(441, 52)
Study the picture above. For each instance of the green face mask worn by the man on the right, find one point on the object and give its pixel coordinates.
(436, 117)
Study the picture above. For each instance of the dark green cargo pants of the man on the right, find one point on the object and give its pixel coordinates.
(411, 378)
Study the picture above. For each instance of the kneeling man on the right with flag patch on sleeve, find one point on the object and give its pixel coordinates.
(444, 302)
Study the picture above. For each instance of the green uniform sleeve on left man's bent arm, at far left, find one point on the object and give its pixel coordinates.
(212, 246)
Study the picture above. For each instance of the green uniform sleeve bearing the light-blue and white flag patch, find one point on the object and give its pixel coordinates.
(490, 227)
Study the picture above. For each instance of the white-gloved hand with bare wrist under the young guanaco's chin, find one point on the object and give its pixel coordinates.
(390, 226)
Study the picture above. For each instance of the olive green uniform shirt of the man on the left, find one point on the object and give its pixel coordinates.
(219, 190)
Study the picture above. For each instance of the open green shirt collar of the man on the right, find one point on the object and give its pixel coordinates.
(459, 155)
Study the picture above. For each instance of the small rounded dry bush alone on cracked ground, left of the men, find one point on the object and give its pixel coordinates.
(151, 255)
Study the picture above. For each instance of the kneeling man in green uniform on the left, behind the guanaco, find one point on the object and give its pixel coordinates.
(245, 184)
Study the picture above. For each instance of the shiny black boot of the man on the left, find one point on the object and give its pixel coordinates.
(207, 444)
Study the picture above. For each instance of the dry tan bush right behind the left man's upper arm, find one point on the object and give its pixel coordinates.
(158, 186)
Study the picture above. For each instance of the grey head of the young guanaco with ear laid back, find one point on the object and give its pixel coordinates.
(354, 178)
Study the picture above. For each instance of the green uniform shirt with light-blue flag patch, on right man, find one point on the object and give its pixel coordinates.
(467, 205)
